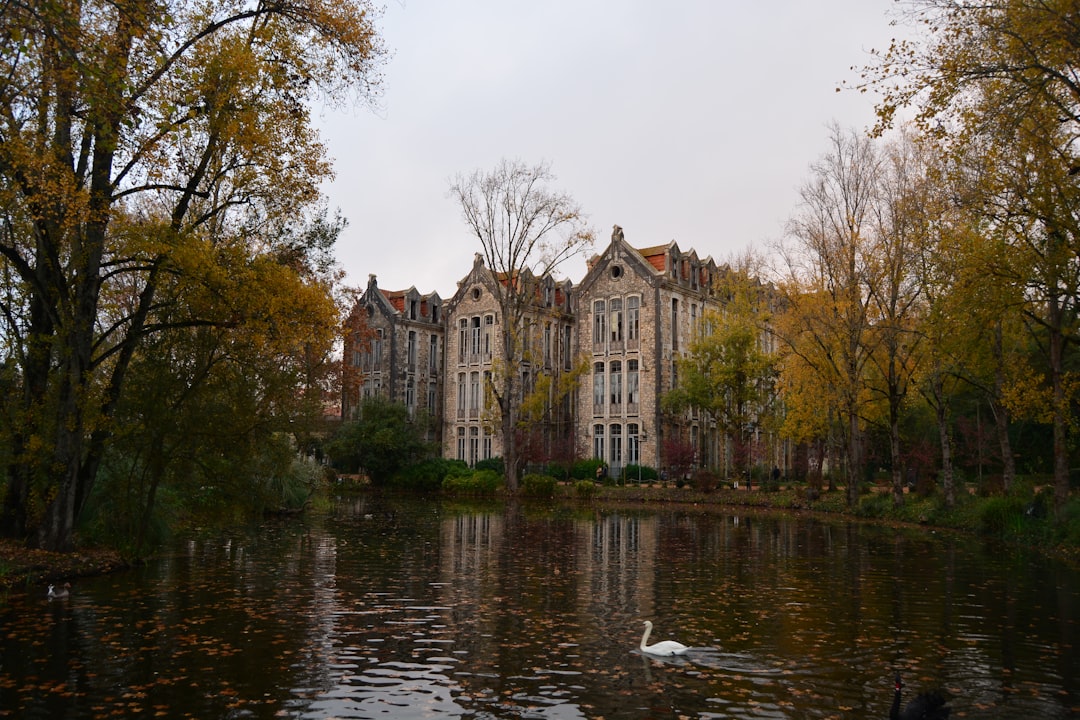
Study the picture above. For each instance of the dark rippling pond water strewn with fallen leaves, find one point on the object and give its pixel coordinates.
(391, 608)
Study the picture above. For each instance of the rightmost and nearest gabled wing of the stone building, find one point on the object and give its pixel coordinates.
(639, 309)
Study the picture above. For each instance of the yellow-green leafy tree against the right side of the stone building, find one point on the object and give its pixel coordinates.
(728, 372)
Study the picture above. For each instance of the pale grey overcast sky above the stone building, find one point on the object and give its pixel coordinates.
(691, 120)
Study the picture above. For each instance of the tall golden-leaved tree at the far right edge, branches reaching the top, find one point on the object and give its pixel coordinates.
(1002, 78)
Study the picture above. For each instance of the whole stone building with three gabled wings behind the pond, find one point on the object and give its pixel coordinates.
(633, 316)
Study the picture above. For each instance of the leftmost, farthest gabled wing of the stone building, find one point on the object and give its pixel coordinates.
(394, 349)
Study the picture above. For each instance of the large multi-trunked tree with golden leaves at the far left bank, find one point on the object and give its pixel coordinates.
(139, 143)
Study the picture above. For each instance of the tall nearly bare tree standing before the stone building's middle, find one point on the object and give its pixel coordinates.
(526, 232)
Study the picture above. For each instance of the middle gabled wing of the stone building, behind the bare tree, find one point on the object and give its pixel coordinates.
(475, 355)
